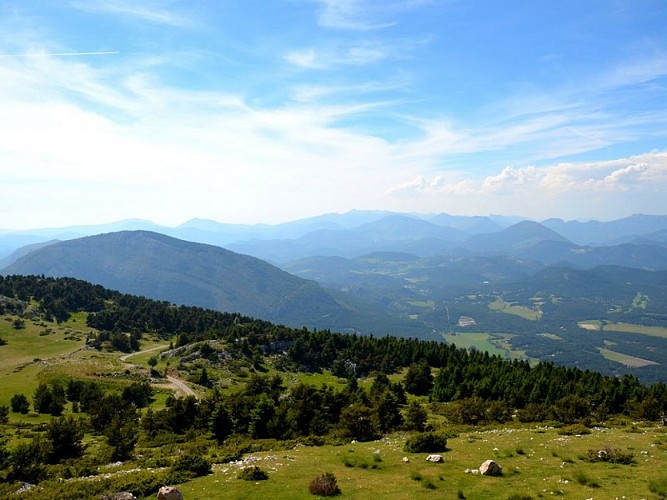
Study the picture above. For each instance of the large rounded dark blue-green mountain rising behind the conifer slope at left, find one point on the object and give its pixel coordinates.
(165, 268)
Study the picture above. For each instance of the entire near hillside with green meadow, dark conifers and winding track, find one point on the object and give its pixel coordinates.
(122, 393)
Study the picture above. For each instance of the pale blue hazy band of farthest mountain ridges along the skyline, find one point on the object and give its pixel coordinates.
(357, 233)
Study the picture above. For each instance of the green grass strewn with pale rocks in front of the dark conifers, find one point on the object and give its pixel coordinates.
(539, 471)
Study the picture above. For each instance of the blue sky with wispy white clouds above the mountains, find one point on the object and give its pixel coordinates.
(248, 111)
